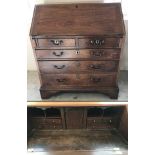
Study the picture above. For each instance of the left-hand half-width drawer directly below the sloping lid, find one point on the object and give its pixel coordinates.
(48, 43)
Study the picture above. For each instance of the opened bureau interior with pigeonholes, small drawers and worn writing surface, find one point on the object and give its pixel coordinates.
(77, 128)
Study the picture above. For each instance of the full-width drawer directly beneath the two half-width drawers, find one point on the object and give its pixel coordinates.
(103, 54)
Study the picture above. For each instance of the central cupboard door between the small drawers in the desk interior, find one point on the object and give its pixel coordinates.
(74, 118)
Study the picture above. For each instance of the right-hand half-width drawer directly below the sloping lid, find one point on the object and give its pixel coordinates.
(99, 42)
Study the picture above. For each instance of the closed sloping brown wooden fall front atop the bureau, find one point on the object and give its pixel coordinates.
(78, 19)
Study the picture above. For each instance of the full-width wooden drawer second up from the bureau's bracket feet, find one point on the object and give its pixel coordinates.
(77, 66)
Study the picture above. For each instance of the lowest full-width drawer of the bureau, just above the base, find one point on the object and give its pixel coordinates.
(67, 80)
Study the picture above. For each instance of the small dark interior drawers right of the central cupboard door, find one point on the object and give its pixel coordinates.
(101, 123)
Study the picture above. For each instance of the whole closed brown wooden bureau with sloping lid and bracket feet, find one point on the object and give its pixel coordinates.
(77, 47)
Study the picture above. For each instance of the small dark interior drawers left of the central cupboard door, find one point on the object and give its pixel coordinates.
(46, 123)
